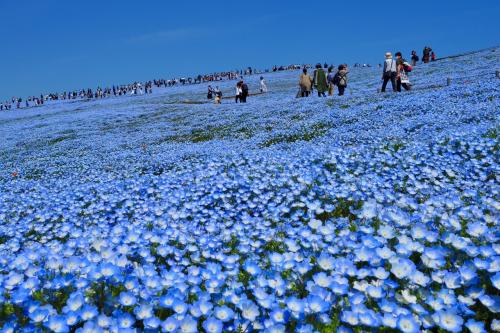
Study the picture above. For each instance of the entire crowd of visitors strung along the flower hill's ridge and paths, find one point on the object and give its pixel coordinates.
(324, 80)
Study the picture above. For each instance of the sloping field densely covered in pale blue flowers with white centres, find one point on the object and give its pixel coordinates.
(366, 213)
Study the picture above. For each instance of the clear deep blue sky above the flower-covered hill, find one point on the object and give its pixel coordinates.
(54, 45)
